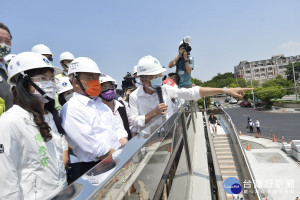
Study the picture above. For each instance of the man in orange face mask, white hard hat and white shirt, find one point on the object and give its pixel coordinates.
(92, 129)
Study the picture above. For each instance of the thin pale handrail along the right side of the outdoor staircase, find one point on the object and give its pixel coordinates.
(246, 161)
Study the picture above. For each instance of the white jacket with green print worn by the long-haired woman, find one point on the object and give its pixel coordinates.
(29, 167)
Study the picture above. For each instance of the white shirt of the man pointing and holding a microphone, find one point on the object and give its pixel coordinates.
(142, 103)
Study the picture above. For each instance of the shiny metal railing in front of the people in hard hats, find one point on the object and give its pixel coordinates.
(113, 177)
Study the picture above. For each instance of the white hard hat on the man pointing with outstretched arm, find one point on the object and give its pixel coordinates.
(149, 65)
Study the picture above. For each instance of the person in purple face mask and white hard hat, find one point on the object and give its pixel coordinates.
(120, 109)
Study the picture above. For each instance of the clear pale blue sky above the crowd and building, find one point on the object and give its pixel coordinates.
(116, 34)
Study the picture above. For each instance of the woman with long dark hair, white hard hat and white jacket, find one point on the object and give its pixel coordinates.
(30, 132)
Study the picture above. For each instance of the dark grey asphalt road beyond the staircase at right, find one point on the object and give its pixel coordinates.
(278, 124)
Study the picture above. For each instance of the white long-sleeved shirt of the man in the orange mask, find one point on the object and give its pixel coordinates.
(92, 129)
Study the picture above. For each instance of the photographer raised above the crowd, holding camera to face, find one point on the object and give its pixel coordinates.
(184, 63)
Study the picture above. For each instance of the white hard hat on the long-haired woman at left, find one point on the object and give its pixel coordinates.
(26, 61)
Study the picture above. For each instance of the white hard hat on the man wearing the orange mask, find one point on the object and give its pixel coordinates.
(83, 64)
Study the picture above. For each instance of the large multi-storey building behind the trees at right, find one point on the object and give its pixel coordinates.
(263, 70)
